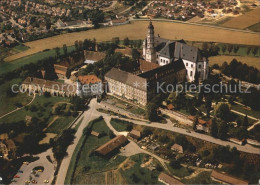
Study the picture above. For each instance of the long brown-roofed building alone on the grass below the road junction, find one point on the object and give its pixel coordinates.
(111, 145)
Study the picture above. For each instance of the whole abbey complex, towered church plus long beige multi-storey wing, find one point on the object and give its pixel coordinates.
(164, 62)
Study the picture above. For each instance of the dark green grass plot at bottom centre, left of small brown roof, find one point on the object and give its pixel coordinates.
(144, 175)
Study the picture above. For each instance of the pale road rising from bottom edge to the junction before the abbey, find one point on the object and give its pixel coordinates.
(87, 116)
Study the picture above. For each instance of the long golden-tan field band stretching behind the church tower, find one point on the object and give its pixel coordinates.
(138, 29)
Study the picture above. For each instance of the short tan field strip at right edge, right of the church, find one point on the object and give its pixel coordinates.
(251, 61)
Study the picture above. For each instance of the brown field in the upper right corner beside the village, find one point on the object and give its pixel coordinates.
(244, 21)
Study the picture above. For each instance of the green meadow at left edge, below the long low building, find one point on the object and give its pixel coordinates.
(7, 103)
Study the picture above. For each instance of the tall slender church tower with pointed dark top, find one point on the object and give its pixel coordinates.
(150, 54)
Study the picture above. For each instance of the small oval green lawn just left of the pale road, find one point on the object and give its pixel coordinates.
(60, 124)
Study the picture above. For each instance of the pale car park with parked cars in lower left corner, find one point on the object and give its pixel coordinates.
(47, 174)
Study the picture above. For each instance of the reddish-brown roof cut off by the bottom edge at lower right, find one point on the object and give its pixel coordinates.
(227, 179)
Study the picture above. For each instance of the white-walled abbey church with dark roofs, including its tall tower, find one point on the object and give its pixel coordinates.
(162, 51)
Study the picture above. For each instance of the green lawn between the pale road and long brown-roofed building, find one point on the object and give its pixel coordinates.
(94, 163)
